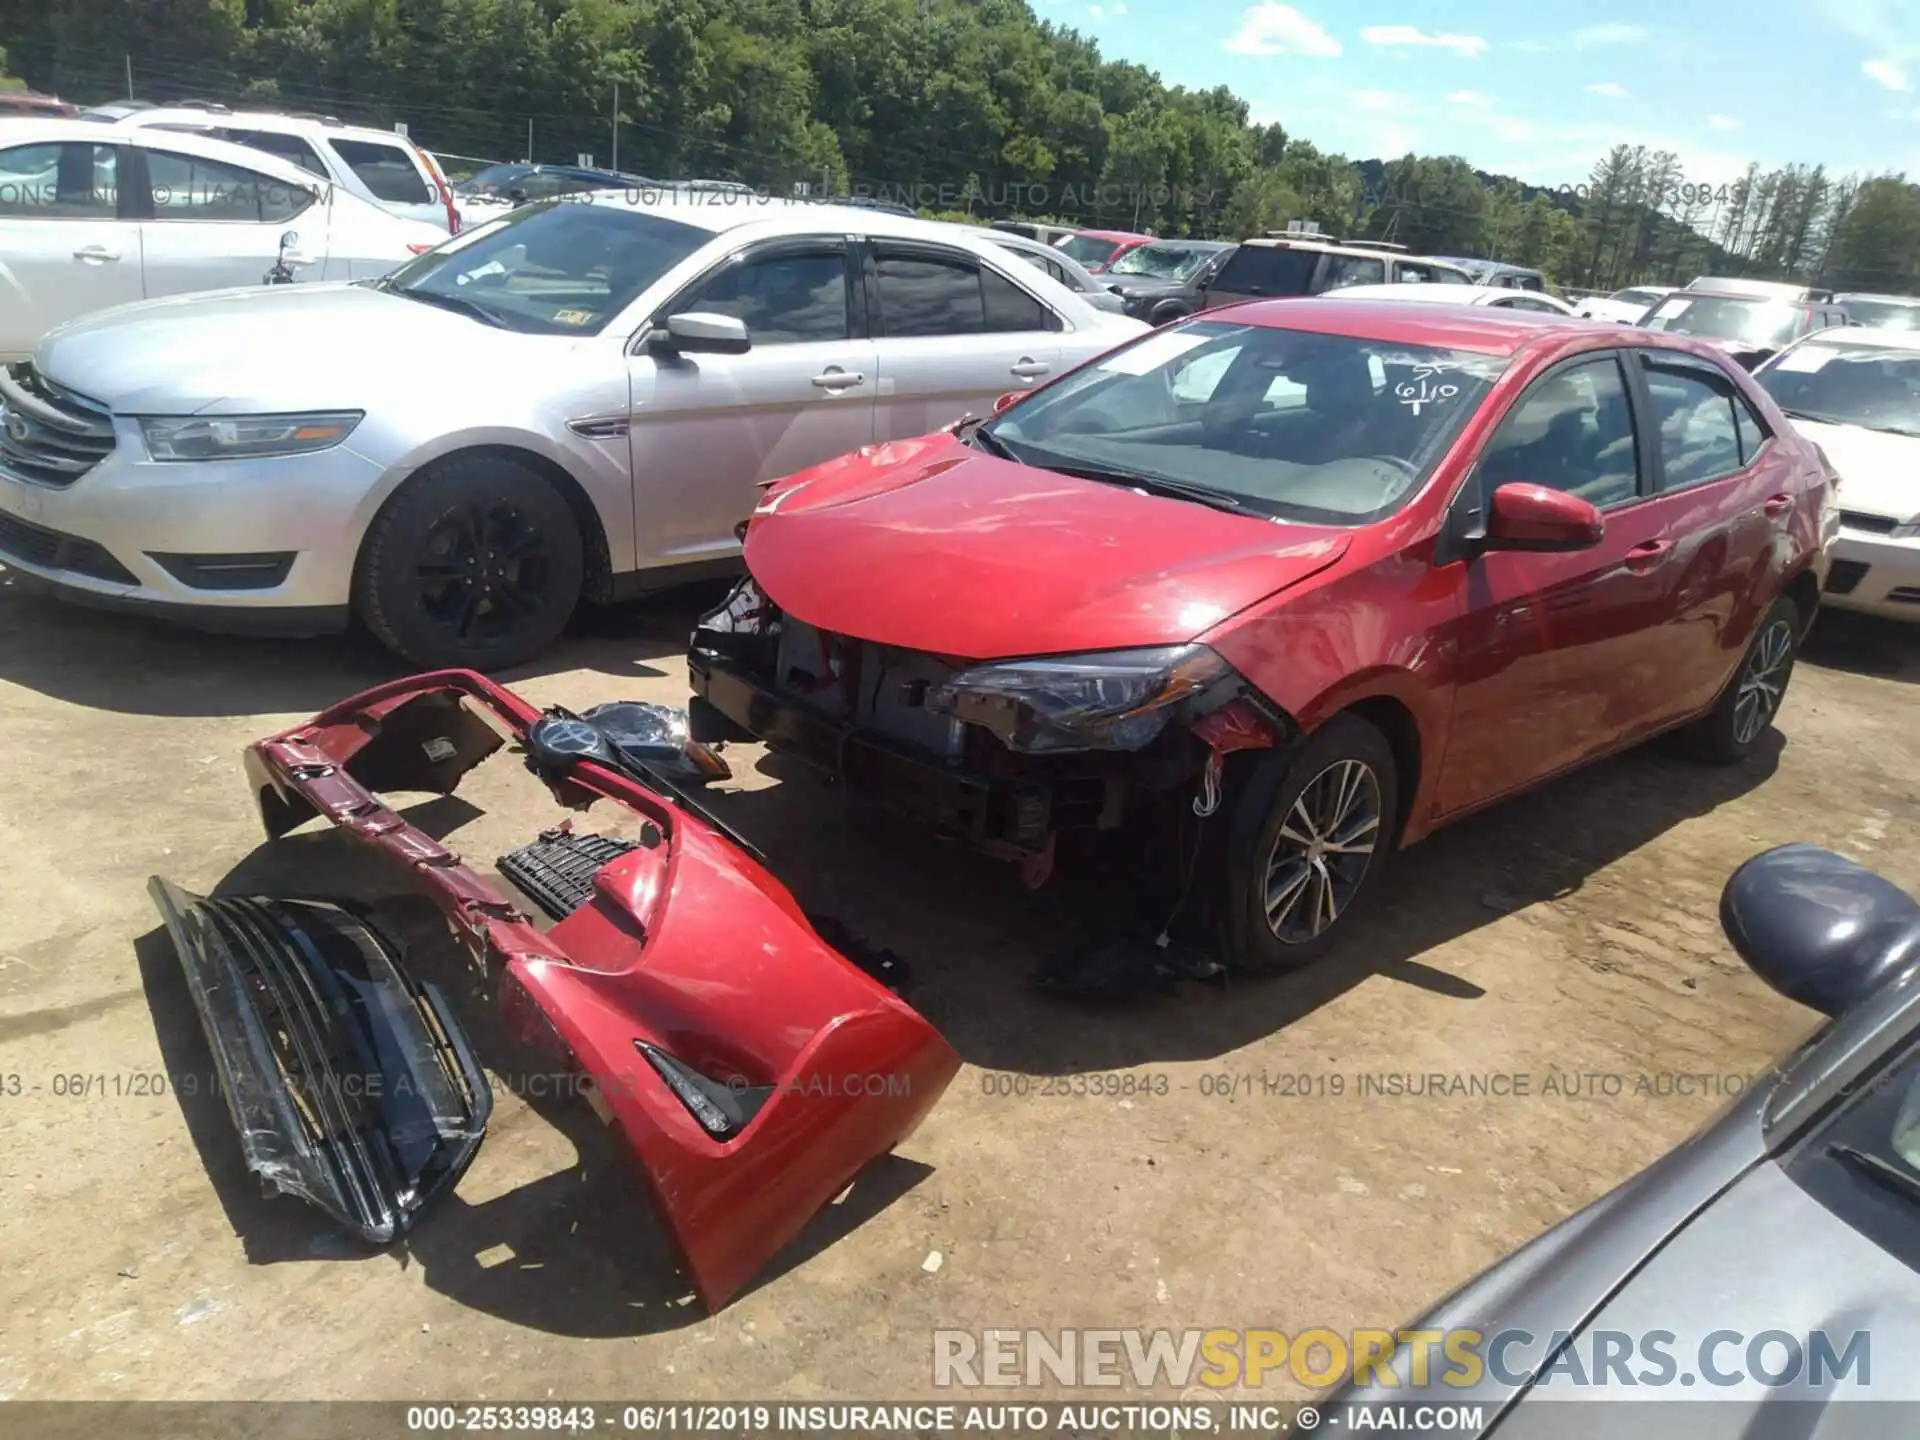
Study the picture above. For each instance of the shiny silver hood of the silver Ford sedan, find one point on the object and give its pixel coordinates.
(258, 350)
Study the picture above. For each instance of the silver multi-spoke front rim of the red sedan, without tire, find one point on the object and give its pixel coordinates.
(1324, 852)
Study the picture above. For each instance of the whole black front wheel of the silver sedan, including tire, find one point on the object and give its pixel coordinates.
(475, 564)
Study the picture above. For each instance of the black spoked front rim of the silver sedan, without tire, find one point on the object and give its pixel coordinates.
(485, 569)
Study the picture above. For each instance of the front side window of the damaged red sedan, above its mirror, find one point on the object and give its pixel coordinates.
(1572, 431)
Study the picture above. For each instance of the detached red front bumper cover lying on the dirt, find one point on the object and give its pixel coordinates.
(686, 948)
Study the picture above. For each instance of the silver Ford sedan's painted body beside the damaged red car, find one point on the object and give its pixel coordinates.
(669, 456)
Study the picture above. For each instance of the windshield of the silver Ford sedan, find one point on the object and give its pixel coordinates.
(558, 268)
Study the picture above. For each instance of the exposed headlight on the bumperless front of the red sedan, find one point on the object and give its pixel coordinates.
(1107, 702)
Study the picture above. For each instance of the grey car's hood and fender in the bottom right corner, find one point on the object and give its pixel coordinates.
(1714, 1236)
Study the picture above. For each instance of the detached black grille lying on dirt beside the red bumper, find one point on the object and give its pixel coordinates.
(350, 1084)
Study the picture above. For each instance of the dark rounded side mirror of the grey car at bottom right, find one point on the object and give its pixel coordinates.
(1819, 928)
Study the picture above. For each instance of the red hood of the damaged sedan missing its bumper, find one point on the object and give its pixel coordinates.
(934, 546)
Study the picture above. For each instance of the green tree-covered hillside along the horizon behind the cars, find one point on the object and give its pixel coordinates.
(955, 105)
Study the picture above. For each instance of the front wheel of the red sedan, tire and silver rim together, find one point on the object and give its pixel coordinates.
(1308, 840)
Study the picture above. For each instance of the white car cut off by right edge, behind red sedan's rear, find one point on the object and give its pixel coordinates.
(1856, 395)
